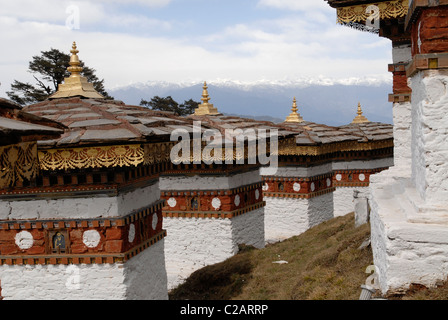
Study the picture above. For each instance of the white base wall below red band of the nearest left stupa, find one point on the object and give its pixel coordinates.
(142, 277)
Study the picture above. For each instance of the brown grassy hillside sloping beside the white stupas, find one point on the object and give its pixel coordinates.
(324, 263)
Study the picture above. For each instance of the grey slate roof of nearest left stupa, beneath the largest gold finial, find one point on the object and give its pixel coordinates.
(100, 122)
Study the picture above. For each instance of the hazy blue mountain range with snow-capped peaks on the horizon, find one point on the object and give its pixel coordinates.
(319, 100)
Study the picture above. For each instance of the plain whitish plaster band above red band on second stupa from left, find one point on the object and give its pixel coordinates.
(209, 182)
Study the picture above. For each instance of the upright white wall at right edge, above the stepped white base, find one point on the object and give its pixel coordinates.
(430, 137)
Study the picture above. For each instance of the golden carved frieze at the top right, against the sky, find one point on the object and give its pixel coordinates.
(360, 14)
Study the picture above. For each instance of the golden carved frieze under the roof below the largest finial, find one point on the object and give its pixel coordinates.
(104, 156)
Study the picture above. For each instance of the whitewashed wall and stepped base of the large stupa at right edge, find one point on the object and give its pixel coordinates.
(409, 233)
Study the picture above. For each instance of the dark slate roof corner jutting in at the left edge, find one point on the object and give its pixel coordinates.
(18, 126)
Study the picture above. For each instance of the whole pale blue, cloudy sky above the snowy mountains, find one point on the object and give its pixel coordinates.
(135, 41)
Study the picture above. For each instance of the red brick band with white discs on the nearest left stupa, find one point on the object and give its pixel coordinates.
(119, 238)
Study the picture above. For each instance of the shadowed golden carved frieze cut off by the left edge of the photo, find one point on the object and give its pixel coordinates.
(18, 162)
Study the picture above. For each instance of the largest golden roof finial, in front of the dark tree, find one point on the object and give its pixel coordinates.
(75, 85)
